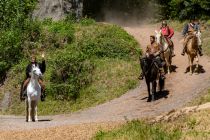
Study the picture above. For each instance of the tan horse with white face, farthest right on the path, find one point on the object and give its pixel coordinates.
(192, 50)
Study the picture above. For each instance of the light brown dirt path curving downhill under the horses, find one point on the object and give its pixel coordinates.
(181, 88)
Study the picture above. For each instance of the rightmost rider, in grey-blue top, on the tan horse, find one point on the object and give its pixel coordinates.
(188, 32)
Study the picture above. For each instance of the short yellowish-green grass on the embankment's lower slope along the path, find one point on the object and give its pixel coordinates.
(107, 84)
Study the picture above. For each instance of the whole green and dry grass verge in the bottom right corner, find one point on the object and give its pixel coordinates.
(192, 126)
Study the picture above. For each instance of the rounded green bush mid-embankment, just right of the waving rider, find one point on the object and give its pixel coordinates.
(71, 71)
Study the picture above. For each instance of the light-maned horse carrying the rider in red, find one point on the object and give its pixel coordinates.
(167, 56)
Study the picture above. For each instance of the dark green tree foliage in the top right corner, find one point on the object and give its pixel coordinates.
(184, 9)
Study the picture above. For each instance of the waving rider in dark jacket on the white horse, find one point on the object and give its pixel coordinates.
(42, 67)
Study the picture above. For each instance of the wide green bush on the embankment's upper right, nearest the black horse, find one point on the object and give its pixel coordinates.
(110, 41)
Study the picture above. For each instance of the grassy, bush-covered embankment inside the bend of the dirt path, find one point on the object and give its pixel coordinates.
(88, 64)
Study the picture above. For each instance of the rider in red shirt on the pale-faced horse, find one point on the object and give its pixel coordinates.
(168, 34)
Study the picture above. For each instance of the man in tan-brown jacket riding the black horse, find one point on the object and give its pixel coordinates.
(153, 51)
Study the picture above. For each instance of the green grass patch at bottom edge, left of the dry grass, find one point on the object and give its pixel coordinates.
(138, 130)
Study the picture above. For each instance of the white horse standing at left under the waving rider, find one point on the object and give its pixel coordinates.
(33, 95)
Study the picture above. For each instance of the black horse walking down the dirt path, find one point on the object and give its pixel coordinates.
(152, 75)
